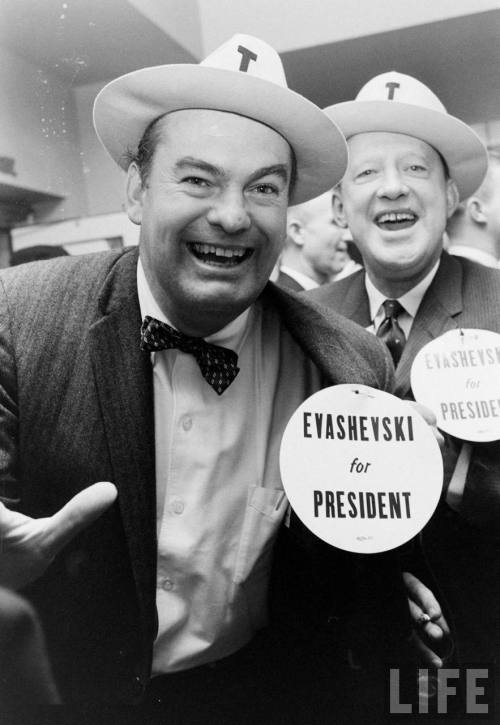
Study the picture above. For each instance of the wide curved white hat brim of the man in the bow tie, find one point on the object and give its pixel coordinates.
(126, 106)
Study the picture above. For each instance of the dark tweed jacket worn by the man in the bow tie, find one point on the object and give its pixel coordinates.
(76, 407)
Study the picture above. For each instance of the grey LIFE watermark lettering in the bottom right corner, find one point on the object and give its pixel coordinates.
(450, 693)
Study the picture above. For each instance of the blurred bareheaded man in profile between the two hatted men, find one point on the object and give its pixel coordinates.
(311, 254)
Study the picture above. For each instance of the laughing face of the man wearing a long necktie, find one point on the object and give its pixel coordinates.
(395, 199)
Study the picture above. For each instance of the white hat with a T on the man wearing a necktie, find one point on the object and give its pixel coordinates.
(397, 103)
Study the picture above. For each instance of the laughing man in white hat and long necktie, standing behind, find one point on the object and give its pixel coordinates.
(409, 164)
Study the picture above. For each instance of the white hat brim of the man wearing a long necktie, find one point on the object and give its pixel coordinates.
(457, 143)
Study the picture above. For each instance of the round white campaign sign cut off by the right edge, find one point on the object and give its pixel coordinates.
(457, 376)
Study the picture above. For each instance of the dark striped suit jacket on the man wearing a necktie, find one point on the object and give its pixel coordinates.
(463, 551)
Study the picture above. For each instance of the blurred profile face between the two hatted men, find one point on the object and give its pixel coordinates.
(321, 236)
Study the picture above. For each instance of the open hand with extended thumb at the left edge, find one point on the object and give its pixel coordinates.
(28, 546)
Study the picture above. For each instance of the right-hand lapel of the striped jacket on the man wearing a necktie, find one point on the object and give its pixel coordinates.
(436, 315)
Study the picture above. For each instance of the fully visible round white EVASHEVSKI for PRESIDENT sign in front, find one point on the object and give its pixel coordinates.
(361, 468)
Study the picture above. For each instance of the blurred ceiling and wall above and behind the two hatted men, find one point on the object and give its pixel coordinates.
(57, 185)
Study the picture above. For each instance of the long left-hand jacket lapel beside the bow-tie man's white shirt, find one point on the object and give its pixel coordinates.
(123, 380)
